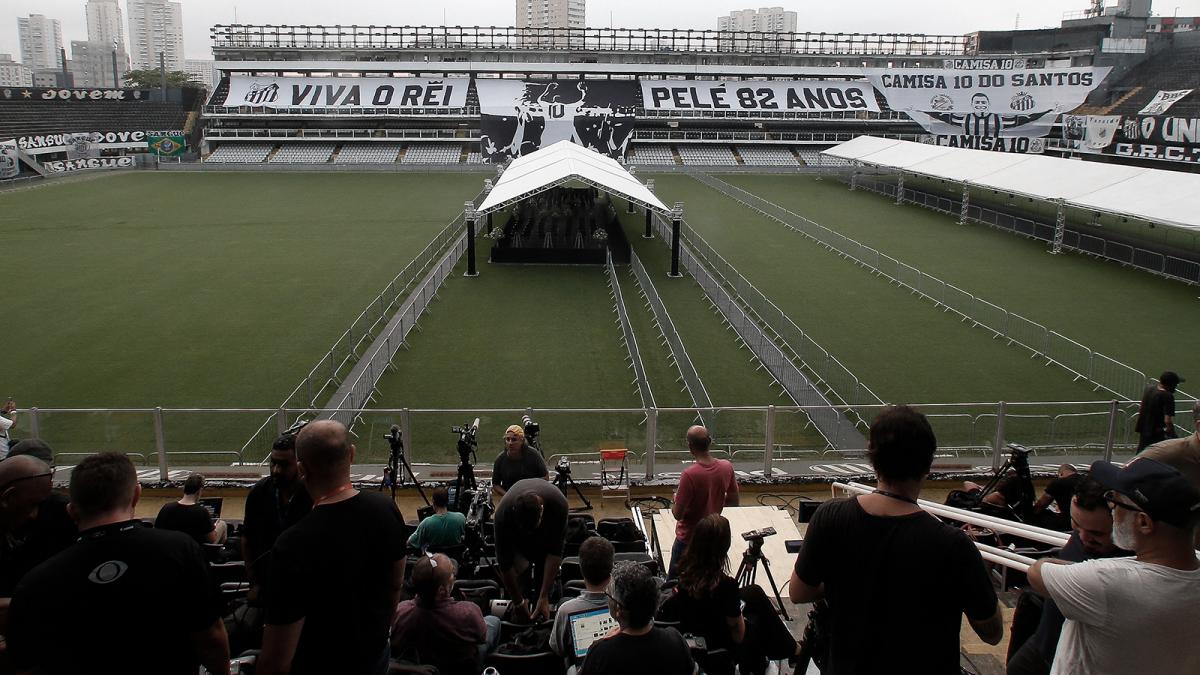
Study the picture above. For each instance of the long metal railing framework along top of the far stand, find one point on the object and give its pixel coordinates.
(238, 37)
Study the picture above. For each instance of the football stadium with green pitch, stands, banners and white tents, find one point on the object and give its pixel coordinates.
(596, 242)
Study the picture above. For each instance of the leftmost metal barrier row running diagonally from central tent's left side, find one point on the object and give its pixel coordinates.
(340, 359)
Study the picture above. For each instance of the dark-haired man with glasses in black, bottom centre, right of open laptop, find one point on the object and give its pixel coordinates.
(639, 647)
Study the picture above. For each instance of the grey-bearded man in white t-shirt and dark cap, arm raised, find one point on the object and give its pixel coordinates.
(1135, 614)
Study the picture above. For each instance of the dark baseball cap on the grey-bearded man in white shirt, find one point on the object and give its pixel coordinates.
(1159, 489)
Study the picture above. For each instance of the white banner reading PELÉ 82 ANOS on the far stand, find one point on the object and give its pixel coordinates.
(795, 97)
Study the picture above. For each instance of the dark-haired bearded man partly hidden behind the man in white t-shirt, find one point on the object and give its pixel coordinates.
(1091, 539)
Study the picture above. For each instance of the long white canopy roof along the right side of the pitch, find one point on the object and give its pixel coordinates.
(1166, 198)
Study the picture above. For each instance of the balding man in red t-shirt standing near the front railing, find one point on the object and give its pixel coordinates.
(706, 487)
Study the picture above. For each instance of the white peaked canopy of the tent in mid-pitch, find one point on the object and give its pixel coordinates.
(562, 164)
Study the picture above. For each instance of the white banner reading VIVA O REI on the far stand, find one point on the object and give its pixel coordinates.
(346, 93)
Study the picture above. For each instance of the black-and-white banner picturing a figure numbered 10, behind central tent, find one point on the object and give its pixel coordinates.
(520, 117)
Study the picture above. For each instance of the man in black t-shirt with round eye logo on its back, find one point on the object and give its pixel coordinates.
(98, 606)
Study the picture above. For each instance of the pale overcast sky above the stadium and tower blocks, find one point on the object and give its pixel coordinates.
(953, 17)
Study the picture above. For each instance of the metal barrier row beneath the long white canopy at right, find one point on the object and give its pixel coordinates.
(1171, 267)
